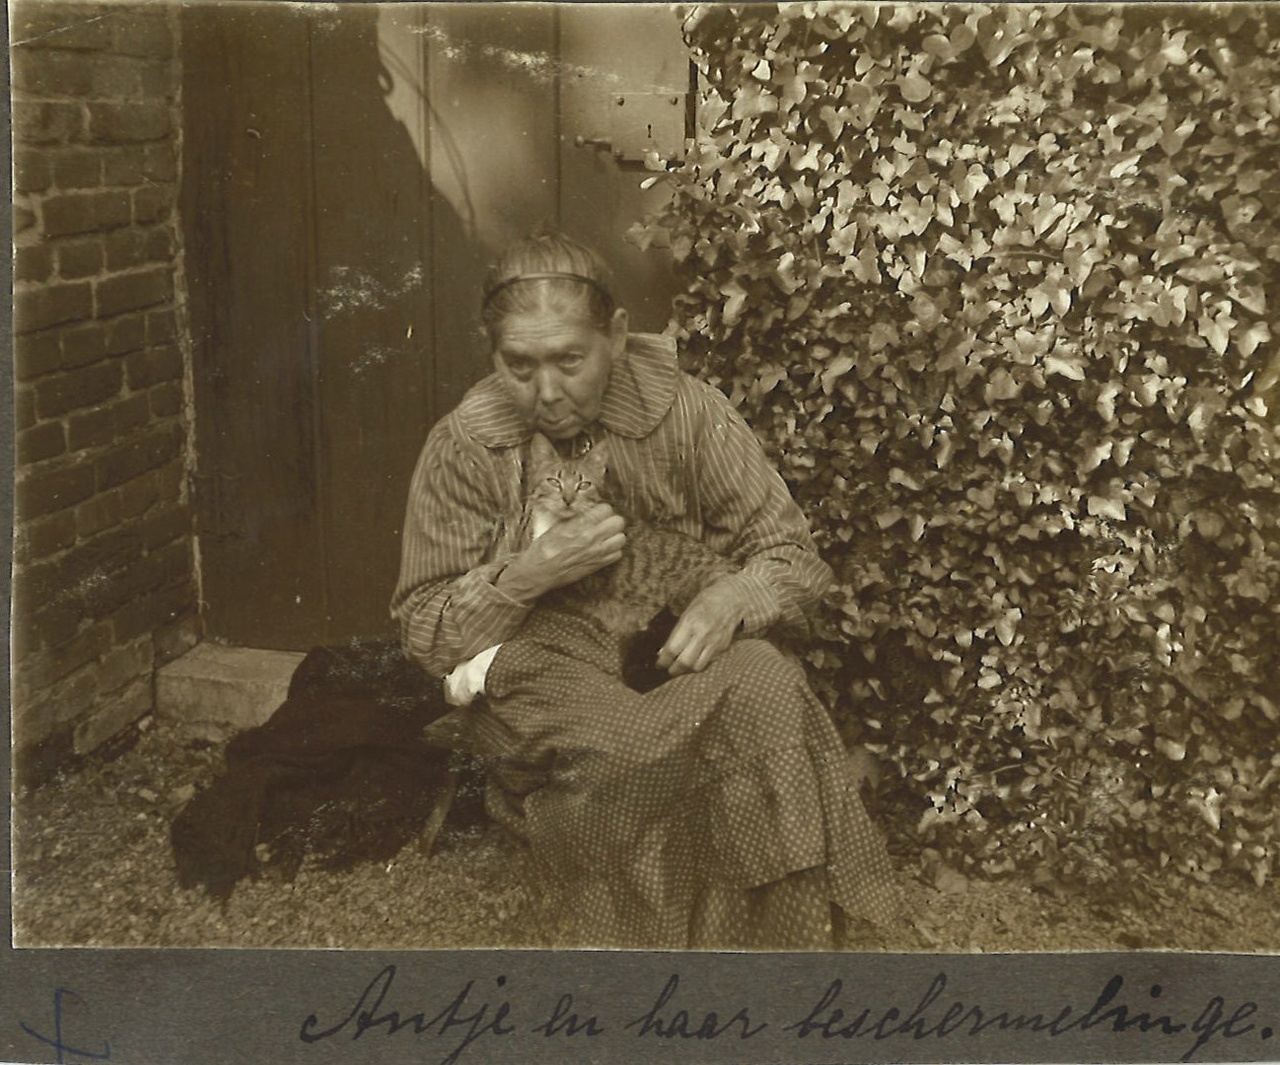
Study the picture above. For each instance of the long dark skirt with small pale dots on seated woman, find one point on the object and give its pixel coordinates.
(715, 812)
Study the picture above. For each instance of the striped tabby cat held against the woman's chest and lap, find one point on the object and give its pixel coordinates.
(637, 598)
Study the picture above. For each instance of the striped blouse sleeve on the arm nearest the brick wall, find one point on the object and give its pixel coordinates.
(446, 601)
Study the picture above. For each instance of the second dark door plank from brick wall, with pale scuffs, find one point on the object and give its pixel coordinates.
(373, 299)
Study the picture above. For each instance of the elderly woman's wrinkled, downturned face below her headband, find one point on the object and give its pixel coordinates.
(556, 368)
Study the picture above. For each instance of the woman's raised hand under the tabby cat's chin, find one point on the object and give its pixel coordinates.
(566, 554)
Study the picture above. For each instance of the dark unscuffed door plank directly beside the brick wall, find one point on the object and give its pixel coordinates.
(246, 204)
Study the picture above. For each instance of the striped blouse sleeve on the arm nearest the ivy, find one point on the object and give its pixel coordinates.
(748, 515)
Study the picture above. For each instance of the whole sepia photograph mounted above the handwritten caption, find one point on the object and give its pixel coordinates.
(770, 478)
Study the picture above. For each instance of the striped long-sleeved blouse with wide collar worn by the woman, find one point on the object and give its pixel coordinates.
(684, 458)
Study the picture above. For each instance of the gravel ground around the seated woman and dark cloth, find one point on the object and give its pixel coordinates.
(93, 867)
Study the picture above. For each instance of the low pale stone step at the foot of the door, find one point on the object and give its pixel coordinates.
(228, 688)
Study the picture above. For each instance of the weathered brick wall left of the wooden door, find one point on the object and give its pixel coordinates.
(104, 587)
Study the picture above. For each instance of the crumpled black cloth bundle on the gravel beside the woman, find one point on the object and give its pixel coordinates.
(340, 771)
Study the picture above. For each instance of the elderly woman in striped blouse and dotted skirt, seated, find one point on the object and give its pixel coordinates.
(715, 811)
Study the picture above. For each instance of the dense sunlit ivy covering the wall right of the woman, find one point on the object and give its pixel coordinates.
(996, 287)
